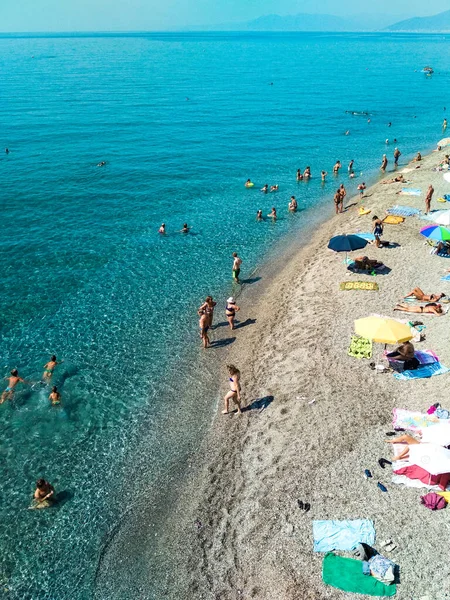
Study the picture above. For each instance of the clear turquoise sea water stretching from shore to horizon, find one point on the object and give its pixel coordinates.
(86, 276)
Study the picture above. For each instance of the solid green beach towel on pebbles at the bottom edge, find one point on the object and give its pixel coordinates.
(346, 574)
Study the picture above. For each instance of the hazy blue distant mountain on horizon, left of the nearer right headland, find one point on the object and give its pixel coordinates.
(304, 22)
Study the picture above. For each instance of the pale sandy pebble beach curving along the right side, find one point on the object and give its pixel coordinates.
(317, 419)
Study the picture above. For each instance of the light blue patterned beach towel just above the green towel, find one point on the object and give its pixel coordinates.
(342, 535)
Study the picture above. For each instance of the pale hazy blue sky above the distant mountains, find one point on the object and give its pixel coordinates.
(152, 15)
